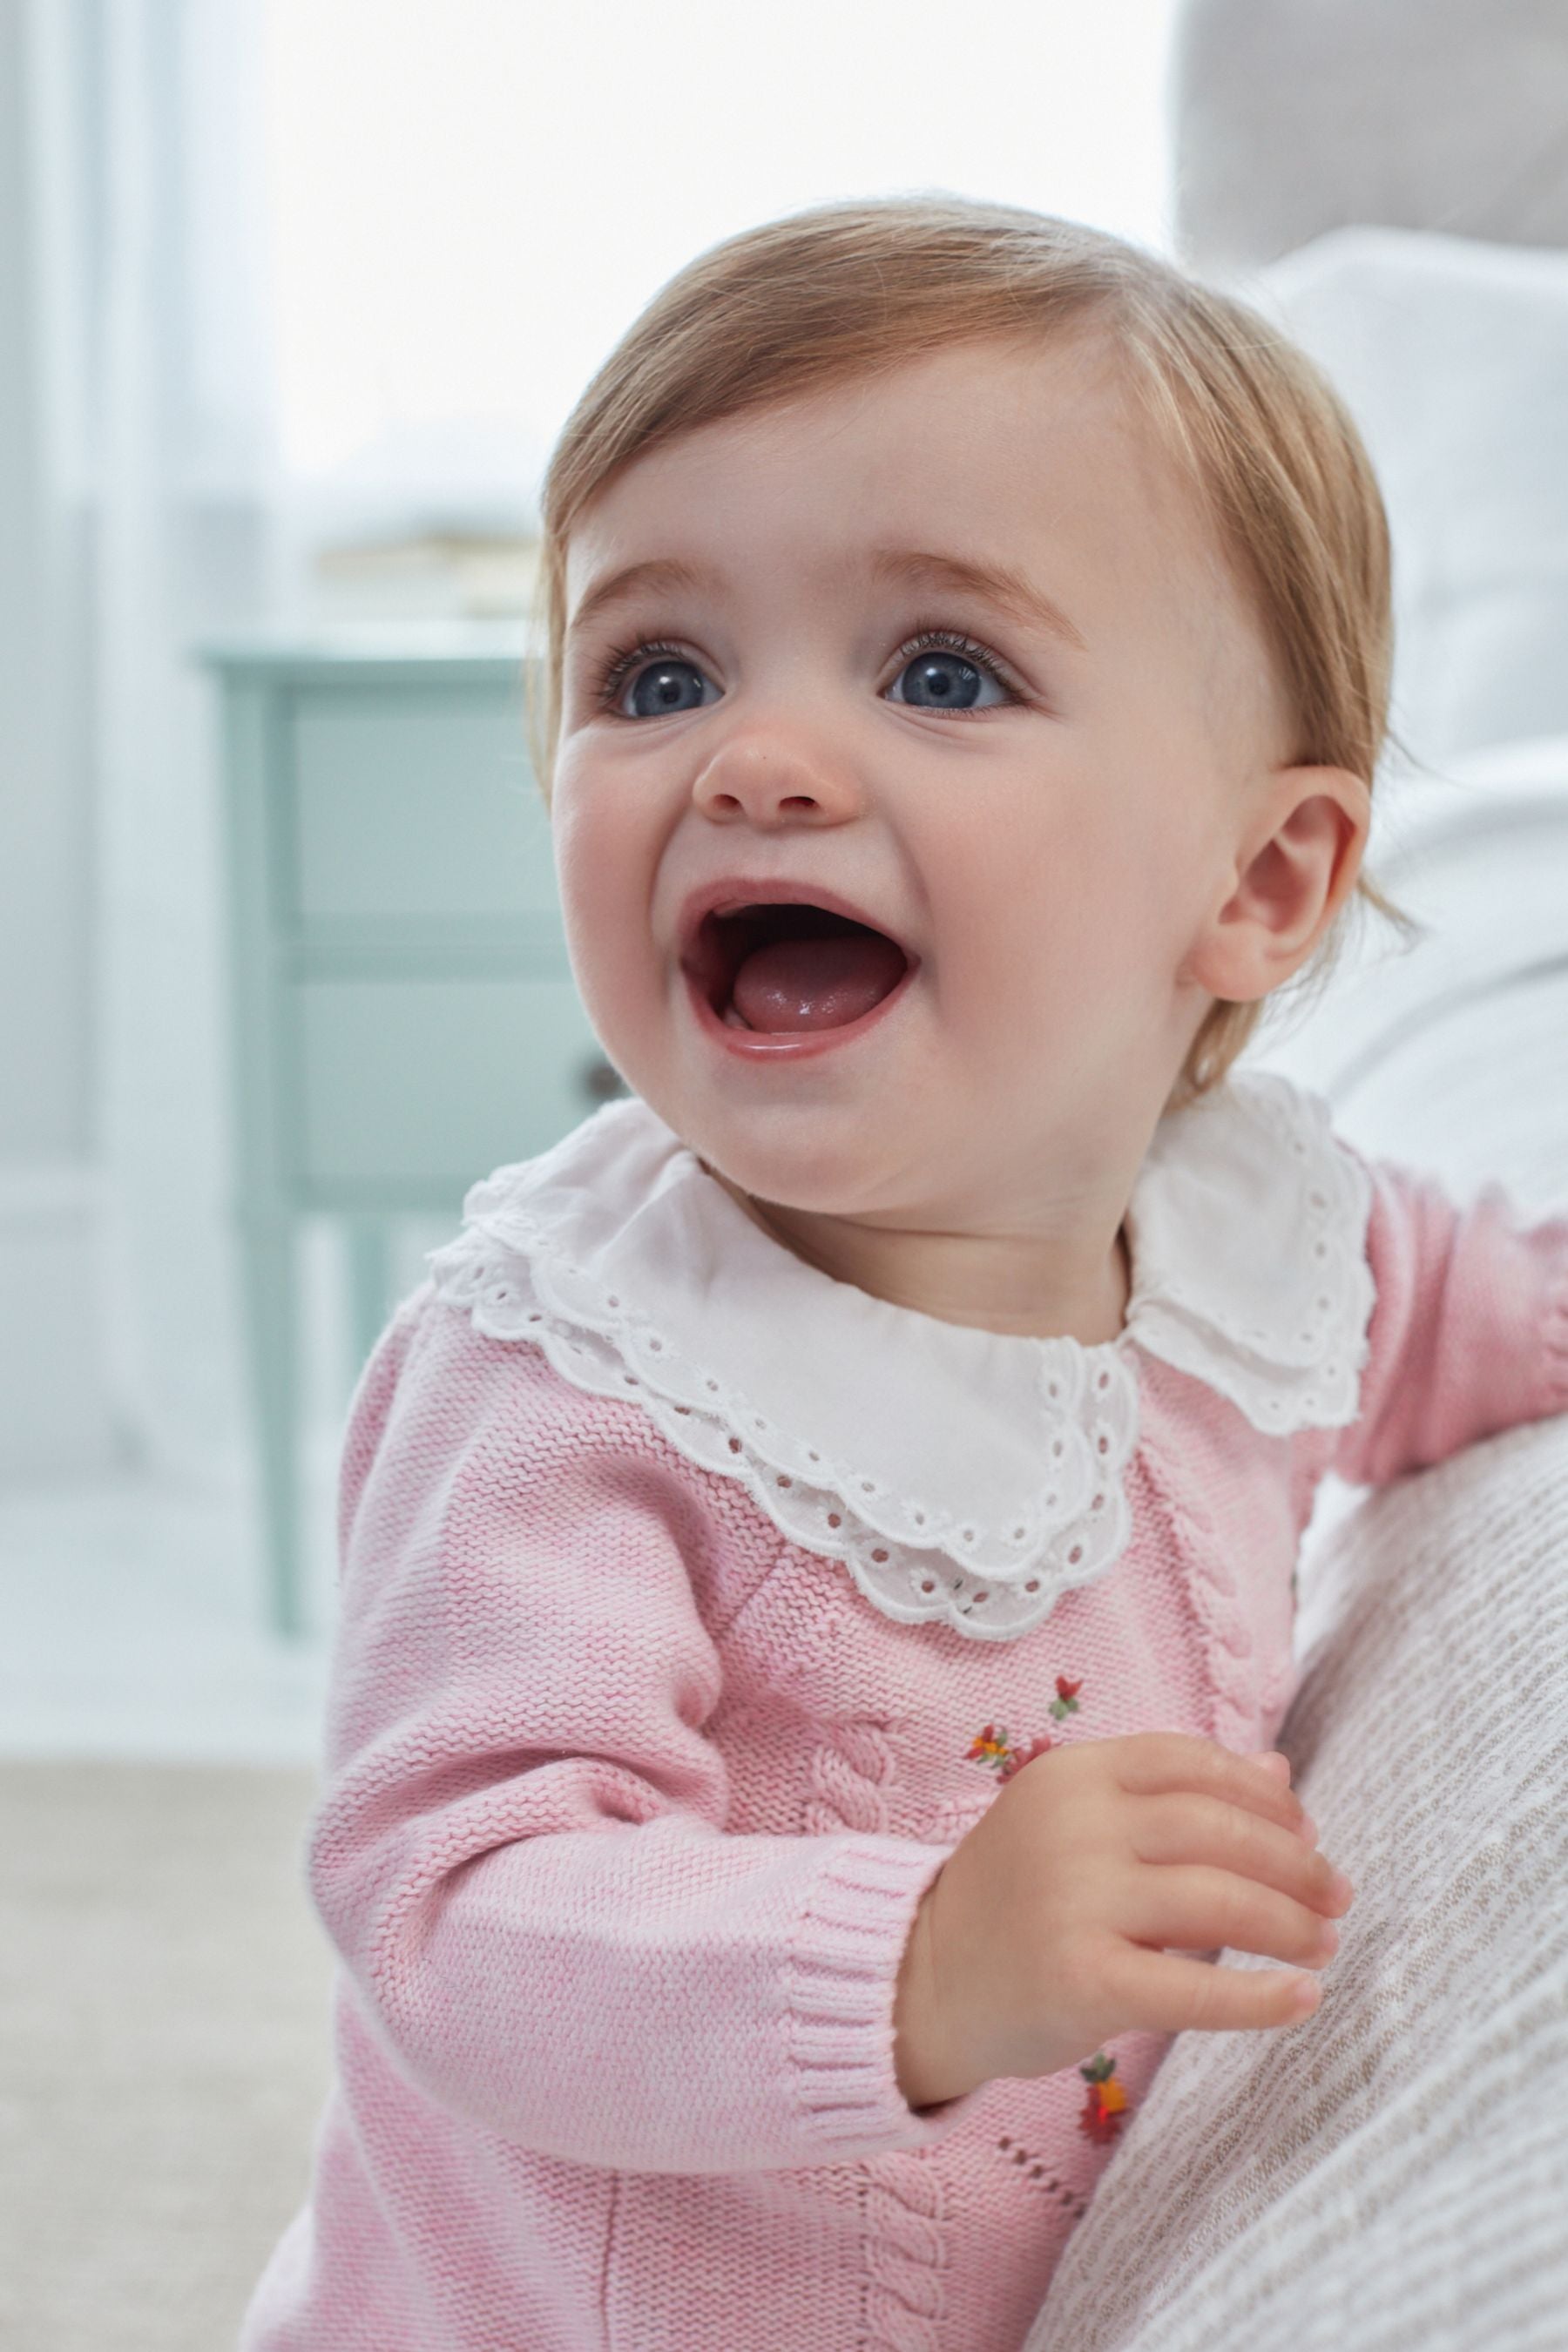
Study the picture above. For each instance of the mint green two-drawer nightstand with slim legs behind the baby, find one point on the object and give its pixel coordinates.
(406, 1015)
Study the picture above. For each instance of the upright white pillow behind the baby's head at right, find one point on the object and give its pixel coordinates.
(1454, 361)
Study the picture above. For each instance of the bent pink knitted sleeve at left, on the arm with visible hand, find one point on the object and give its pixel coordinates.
(523, 1850)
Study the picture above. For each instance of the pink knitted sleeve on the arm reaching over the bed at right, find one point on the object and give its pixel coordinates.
(1468, 1335)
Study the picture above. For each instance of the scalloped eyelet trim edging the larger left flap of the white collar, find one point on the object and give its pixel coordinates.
(817, 1502)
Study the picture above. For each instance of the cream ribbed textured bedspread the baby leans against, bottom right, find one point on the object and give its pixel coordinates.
(1393, 2174)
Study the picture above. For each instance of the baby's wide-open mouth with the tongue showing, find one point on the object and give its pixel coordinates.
(782, 968)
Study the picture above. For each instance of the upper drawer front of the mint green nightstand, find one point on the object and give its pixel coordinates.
(413, 803)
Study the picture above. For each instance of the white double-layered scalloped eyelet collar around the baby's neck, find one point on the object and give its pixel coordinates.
(1202, 1292)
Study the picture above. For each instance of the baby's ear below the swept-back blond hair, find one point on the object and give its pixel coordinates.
(1299, 853)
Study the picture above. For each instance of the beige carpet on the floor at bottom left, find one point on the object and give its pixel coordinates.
(163, 2047)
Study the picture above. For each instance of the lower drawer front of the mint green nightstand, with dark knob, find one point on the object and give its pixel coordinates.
(415, 1088)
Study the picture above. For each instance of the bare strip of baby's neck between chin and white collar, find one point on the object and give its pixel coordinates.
(1024, 1285)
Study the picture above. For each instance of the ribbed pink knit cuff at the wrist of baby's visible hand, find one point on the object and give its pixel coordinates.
(840, 2000)
